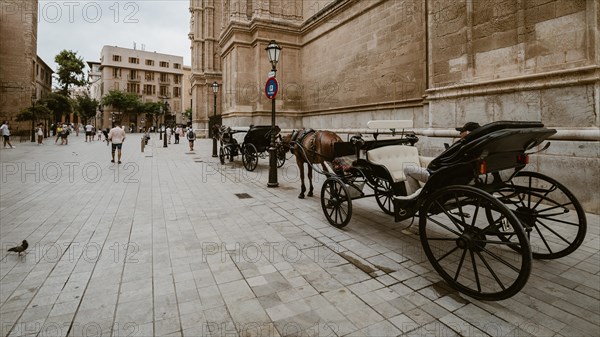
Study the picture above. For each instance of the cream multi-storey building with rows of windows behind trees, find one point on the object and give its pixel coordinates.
(153, 76)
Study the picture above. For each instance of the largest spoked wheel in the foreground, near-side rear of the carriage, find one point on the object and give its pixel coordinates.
(465, 247)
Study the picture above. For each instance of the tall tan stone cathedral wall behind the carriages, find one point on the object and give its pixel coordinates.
(440, 63)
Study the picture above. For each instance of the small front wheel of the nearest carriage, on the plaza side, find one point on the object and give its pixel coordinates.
(336, 202)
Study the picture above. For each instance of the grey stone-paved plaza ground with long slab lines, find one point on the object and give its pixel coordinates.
(171, 243)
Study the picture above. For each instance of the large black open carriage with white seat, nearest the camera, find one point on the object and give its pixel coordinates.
(482, 218)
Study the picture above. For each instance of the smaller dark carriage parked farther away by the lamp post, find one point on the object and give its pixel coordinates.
(255, 145)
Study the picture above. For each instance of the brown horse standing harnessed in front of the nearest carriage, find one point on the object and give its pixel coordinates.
(310, 147)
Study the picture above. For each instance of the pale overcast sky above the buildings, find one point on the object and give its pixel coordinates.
(85, 26)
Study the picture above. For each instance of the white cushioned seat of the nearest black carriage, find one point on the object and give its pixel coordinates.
(395, 158)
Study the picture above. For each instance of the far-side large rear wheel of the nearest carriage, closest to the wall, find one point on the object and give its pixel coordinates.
(553, 218)
